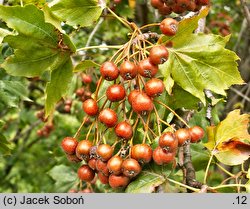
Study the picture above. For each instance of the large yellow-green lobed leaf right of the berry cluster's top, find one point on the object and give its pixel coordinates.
(200, 61)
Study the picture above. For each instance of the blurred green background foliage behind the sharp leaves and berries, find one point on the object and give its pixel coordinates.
(26, 167)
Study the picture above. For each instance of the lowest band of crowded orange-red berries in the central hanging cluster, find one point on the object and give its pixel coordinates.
(114, 169)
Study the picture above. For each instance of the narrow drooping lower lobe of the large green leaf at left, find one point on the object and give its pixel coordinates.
(58, 85)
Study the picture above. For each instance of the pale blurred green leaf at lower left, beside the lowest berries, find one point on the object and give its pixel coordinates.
(64, 177)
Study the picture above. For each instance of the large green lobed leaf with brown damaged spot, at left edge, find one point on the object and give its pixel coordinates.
(39, 46)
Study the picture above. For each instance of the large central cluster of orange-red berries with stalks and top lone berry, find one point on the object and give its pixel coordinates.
(130, 97)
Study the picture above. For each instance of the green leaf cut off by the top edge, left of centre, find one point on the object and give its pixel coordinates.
(77, 12)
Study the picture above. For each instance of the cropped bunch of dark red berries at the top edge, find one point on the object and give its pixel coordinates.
(166, 7)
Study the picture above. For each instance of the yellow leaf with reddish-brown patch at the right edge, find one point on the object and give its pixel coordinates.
(229, 141)
